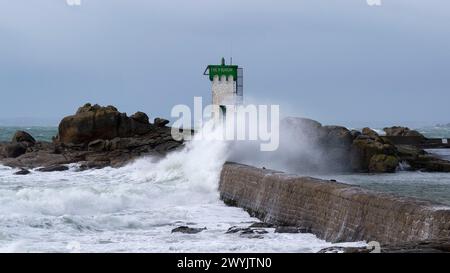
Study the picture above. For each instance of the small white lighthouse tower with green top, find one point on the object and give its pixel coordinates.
(226, 84)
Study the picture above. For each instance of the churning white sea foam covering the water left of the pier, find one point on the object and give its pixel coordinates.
(133, 208)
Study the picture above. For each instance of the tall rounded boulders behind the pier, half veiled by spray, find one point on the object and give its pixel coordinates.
(336, 148)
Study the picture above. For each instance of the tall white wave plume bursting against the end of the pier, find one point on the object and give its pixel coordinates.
(198, 164)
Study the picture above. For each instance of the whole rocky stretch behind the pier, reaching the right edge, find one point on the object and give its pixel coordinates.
(347, 150)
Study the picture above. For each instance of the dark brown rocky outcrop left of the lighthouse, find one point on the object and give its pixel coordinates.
(95, 137)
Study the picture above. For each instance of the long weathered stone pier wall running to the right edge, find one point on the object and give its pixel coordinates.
(333, 211)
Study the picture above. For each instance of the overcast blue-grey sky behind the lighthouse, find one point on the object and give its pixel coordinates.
(337, 61)
